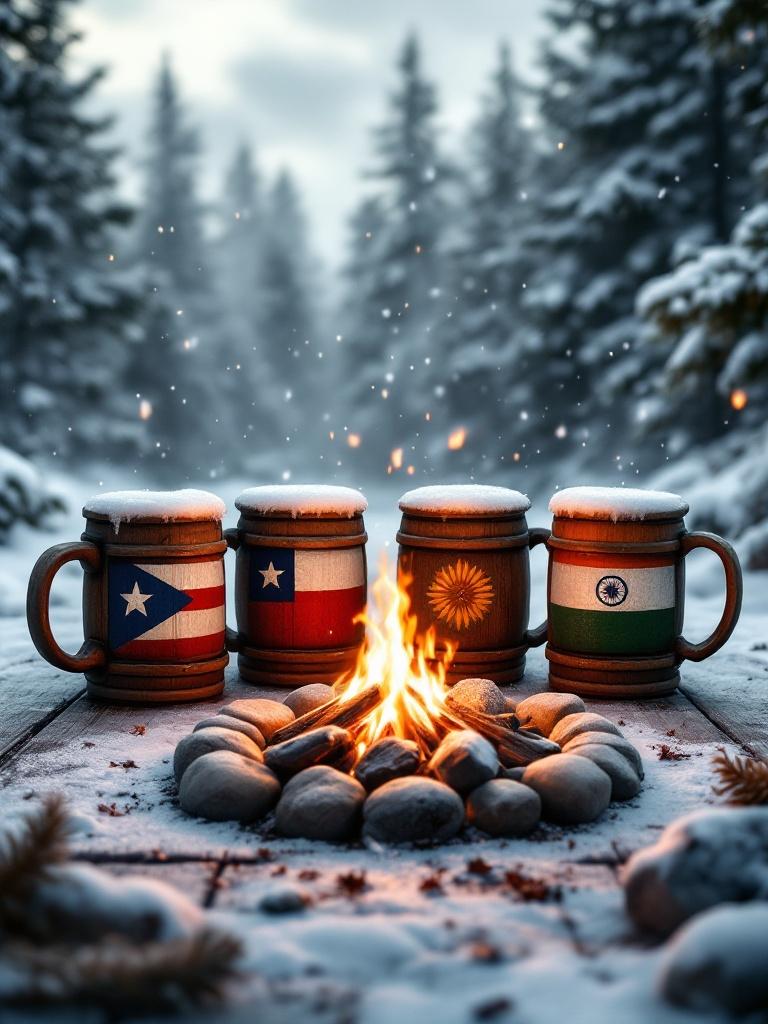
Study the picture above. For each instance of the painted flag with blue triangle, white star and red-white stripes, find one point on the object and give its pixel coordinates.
(166, 613)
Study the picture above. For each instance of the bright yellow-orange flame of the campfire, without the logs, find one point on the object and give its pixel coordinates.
(406, 665)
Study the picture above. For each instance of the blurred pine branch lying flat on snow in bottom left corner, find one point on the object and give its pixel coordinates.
(125, 979)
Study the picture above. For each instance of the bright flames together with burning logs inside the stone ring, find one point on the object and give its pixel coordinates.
(399, 690)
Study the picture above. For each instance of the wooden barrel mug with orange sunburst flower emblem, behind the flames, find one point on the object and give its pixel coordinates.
(464, 562)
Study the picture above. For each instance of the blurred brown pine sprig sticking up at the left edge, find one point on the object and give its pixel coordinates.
(27, 858)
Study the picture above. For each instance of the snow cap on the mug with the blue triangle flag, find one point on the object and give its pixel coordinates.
(188, 505)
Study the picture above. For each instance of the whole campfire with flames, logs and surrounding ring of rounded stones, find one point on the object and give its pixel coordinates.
(399, 756)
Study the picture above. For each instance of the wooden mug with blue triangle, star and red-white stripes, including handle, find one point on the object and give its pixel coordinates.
(153, 598)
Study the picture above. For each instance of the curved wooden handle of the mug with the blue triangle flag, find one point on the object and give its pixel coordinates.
(92, 656)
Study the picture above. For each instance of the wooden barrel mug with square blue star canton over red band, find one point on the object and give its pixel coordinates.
(301, 582)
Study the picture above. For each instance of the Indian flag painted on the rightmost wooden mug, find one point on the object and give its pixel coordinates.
(610, 605)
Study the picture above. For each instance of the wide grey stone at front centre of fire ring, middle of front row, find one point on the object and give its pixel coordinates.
(413, 810)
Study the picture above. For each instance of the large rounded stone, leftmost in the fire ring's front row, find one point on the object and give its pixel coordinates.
(227, 787)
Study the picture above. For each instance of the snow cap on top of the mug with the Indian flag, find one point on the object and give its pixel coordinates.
(617, 504)
